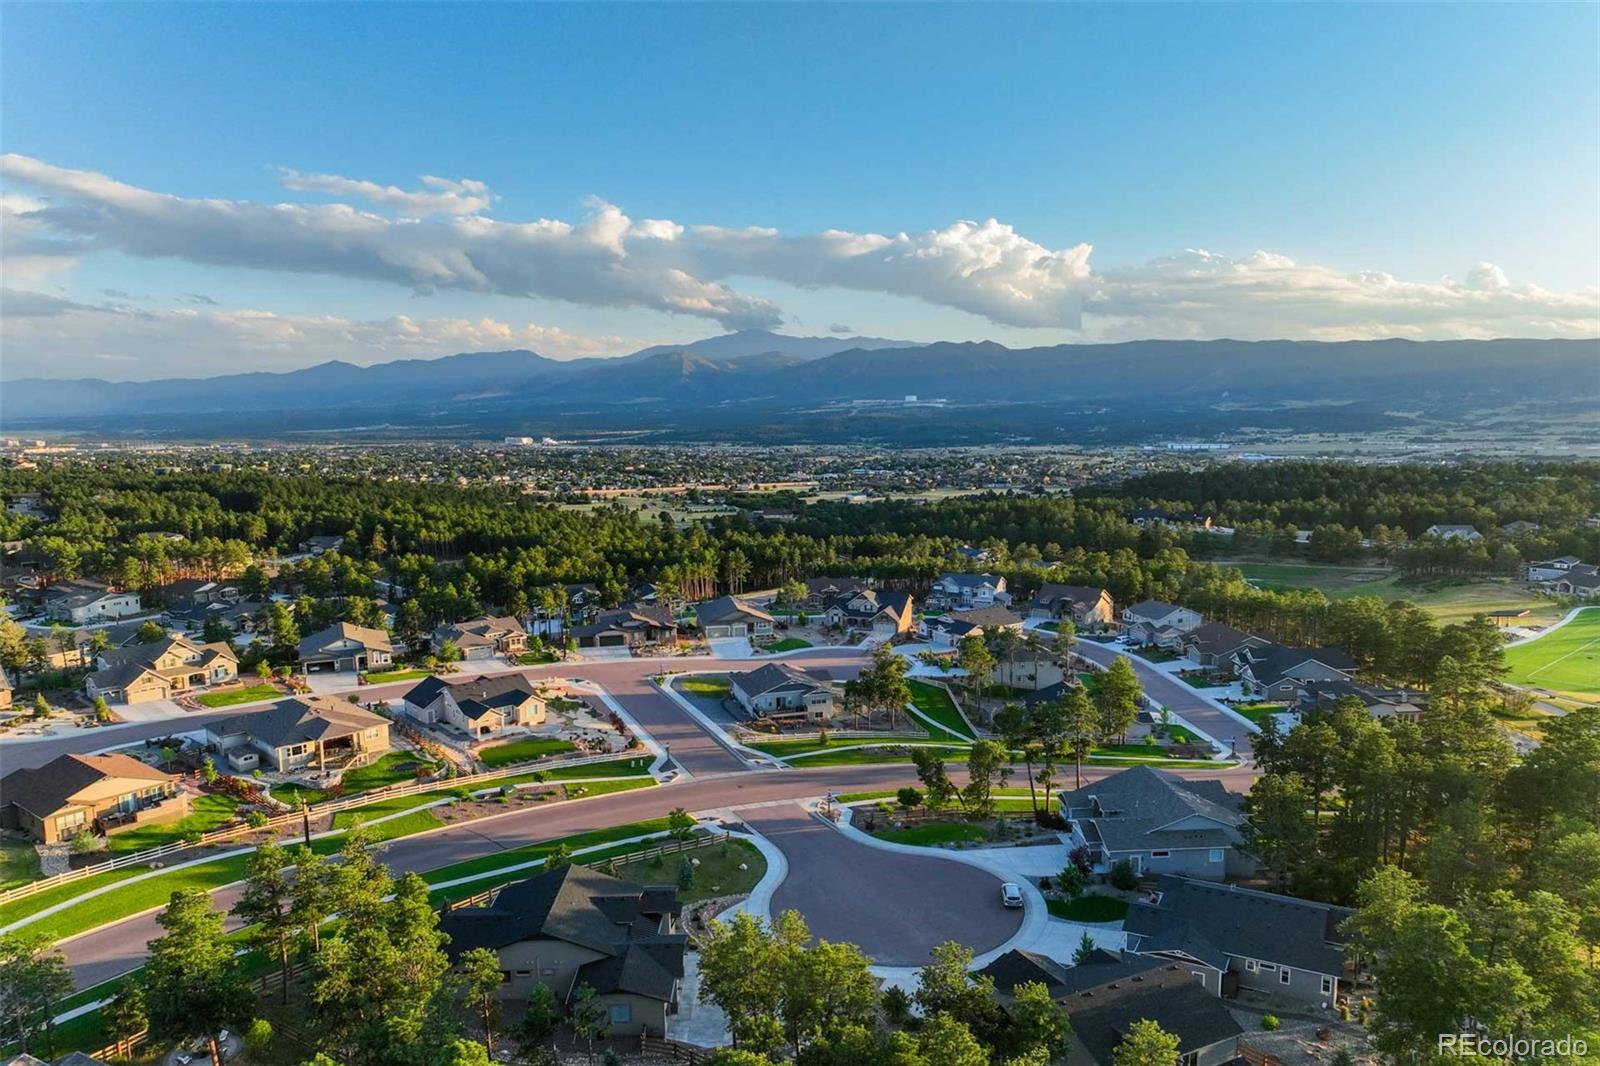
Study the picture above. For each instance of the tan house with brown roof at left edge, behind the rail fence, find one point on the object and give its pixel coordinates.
(74, 795)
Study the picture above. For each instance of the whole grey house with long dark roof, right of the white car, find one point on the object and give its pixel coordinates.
(1236, 939)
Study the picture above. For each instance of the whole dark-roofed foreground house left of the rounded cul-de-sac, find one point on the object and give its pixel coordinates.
(578, 928)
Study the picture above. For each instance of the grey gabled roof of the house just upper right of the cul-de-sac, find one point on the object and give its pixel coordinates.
(1137, 808)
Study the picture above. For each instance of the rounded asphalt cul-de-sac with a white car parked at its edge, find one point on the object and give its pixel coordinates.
(895, 907)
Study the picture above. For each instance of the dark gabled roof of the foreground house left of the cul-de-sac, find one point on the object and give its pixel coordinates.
(583, 907)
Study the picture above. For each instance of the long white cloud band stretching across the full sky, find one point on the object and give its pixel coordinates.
(441, 238)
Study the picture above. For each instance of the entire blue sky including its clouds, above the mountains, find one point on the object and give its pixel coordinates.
(1374, 151)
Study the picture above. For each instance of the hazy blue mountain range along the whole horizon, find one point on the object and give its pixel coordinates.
(756, 377)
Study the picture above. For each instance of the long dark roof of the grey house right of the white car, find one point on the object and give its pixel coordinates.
(1202, 918)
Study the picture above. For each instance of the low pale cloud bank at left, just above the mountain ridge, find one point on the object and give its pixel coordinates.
(44, 334)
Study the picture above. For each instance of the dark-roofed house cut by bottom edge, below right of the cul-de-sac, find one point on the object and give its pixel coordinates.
(1110, 992)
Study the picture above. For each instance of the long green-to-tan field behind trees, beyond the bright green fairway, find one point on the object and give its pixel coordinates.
(1449, 601)
